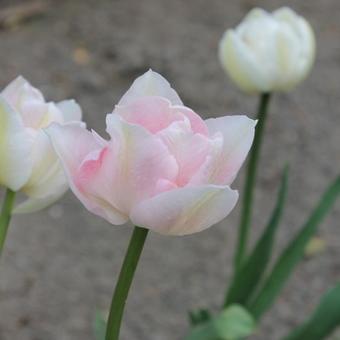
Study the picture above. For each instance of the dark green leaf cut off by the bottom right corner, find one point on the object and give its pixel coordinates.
(323, 321)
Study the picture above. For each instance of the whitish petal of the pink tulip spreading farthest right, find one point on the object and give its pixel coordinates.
(238, 134)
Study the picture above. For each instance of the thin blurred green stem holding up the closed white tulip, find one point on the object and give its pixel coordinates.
(248, 192)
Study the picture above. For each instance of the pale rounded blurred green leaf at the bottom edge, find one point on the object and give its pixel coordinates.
(233, 323)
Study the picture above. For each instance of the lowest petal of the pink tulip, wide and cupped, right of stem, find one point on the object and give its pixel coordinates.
(186, 210)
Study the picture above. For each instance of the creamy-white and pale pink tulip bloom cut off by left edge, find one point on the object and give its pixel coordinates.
(28, 162)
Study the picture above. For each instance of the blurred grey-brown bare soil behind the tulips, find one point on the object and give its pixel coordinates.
(60, 265)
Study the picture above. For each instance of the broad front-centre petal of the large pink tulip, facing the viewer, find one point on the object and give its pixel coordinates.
(136, 161)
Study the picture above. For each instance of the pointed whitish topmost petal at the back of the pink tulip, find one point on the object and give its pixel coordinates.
(150, 84)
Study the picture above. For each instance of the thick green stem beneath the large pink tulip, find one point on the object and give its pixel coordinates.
(124, 282)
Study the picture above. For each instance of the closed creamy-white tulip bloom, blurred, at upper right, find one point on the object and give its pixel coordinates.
(268, 51)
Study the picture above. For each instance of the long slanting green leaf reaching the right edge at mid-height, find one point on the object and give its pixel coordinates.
(293, 253)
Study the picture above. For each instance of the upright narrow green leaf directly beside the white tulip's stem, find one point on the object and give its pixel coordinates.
(250, 274)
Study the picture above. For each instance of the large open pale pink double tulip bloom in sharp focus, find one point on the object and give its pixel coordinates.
(164, 168)
